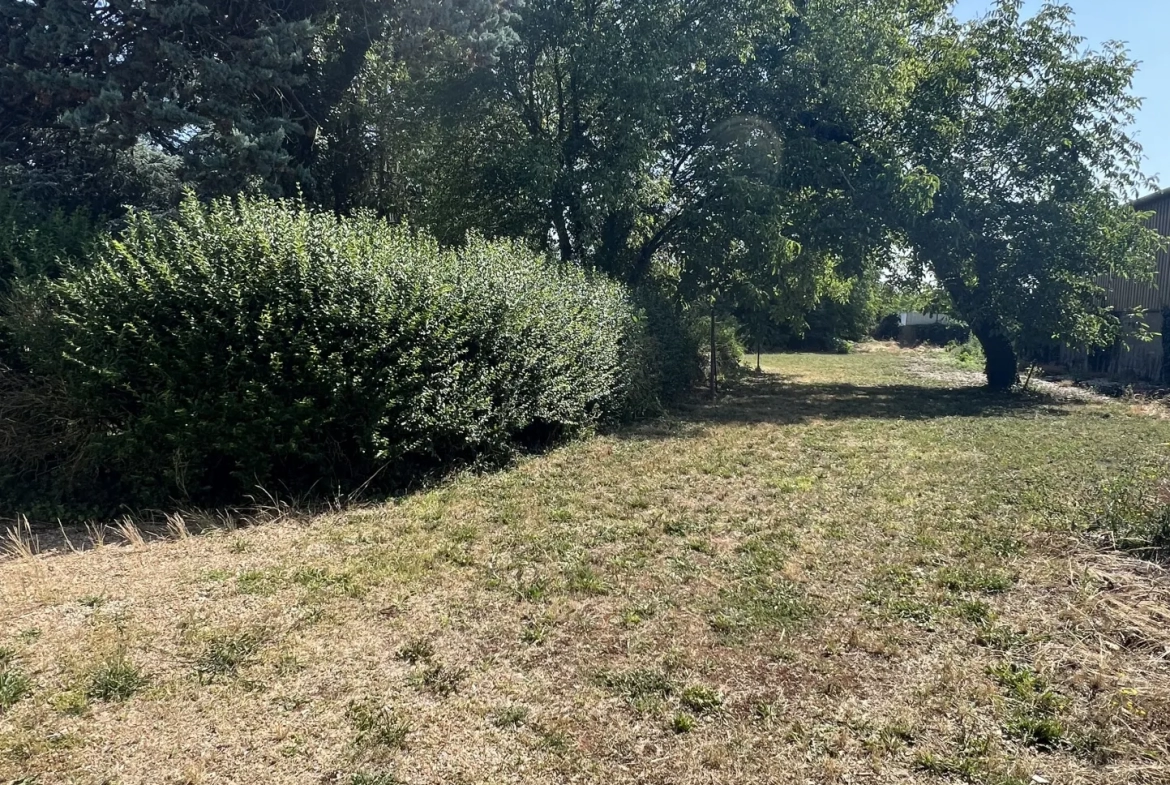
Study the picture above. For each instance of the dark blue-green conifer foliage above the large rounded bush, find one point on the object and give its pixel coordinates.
(222, 95)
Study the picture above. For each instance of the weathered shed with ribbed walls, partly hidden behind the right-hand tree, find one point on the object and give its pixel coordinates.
(1150, 361)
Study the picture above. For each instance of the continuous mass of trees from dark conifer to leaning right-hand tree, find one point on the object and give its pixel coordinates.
(759, 154)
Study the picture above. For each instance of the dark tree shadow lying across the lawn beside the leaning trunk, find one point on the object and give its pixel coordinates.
(772, 398)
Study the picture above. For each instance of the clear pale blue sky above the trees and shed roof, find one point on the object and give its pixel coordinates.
(1144, 26)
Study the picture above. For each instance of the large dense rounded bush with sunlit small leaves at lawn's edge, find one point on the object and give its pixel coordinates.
(260, 345)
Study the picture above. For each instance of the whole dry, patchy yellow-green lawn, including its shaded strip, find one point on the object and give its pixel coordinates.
(852, 569)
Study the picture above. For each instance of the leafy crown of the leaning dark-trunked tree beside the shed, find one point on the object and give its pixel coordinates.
(1029, 140)
